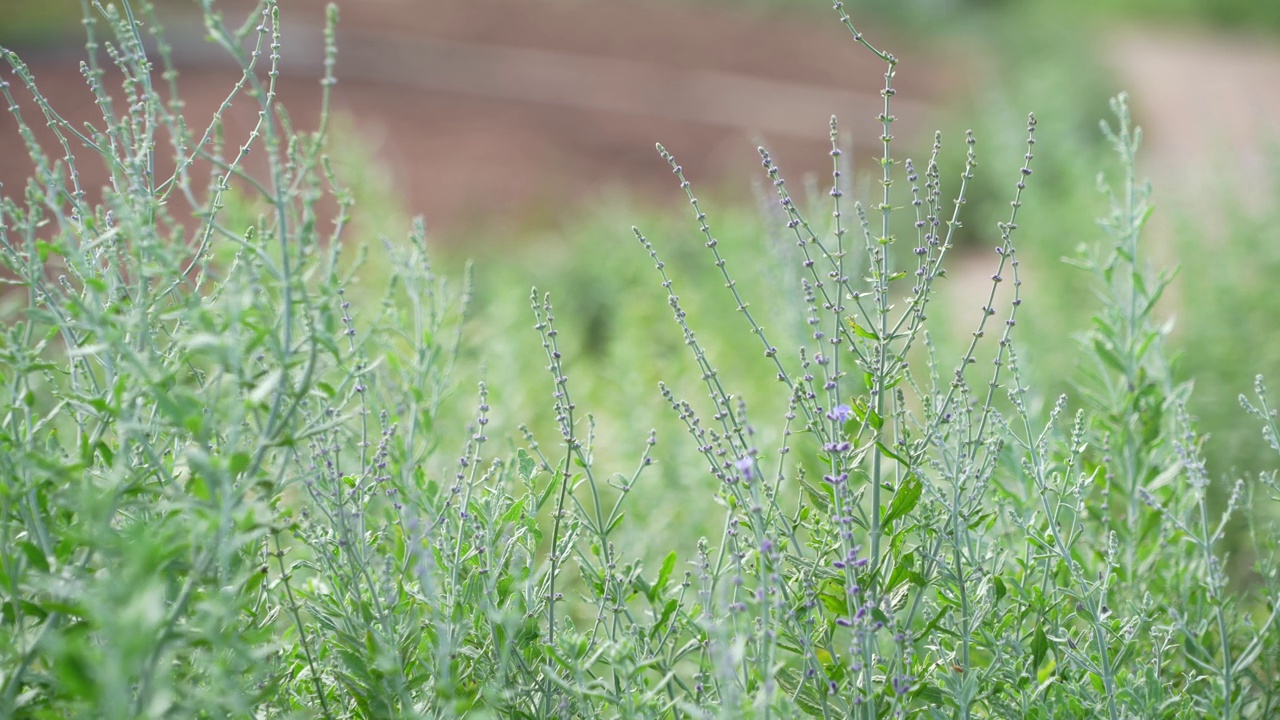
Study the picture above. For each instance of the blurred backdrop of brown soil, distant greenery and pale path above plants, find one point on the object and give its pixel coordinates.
(473, 106)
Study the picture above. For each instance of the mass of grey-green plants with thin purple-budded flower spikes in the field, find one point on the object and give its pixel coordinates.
(253, 468)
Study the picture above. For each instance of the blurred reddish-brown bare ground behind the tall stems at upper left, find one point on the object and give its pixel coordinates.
(499, 108)
